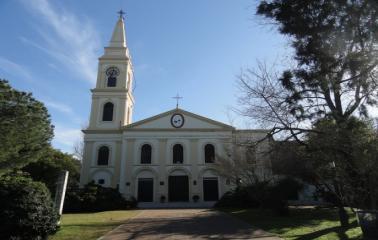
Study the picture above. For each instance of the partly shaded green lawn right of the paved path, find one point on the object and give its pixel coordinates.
(302, 224)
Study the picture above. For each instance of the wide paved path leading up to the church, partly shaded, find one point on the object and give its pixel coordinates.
(193, 224)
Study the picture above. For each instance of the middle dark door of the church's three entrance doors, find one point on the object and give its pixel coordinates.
(178, 188)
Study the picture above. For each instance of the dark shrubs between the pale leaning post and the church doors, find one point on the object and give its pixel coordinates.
(95, 198)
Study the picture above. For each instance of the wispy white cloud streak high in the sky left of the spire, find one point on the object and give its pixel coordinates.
(72, 41)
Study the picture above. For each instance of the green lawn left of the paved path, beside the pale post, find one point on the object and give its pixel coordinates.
(85, 226)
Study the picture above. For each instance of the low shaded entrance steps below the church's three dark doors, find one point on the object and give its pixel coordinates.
(175, 205)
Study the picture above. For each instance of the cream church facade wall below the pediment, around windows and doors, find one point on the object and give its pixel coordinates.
(125, 168)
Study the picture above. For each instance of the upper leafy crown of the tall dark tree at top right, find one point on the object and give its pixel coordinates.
(336, 44)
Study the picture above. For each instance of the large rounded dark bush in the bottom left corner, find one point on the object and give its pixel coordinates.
(26, 209)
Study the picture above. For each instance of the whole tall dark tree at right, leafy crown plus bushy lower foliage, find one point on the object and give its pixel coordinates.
(334, 80)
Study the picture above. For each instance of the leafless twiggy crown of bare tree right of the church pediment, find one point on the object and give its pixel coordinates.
(264, 100)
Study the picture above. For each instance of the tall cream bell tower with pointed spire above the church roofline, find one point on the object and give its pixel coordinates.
(112, 98)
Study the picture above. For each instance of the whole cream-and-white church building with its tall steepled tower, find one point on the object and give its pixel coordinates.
(167, 157)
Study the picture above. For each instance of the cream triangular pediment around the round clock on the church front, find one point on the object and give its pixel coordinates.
(163, 121)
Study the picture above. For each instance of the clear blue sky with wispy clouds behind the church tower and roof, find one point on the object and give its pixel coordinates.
(195, 48)
